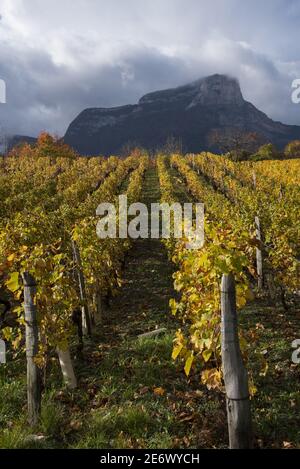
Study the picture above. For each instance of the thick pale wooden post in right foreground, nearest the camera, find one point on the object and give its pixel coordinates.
(234, 371)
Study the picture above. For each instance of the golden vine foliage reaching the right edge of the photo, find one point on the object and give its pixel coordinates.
(278, 214)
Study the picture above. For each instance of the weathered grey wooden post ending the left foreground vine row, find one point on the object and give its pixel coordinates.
(33, 373)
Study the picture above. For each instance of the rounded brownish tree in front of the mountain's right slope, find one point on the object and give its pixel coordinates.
(238, 144)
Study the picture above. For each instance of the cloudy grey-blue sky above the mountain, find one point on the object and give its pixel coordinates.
(59, 57)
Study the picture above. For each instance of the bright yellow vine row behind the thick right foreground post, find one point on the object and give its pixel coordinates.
(228, 248)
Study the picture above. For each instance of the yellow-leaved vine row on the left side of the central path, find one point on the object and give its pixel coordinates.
(40, 242)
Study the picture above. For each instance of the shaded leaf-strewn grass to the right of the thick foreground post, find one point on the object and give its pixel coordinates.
(276, 405)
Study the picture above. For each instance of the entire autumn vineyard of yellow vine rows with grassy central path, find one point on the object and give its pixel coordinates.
(122, 338)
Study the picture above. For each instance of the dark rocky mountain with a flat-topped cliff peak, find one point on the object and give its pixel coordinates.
(188, 113)
